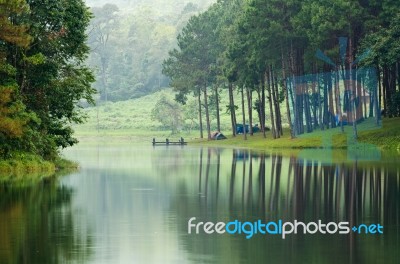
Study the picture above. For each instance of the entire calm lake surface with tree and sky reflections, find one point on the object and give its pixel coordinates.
(132, 204)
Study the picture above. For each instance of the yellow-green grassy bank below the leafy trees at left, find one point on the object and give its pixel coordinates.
(28, 167)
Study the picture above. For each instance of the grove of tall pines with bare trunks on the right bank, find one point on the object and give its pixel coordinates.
(328, 63)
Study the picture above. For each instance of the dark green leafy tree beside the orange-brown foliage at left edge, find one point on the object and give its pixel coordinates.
(56, 80)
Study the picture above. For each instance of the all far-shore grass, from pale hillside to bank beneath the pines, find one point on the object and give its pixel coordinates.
(132, 119)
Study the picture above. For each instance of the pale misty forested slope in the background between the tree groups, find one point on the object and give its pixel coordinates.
(129, 40)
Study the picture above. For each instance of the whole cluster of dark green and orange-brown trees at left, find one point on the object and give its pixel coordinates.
(42, 75)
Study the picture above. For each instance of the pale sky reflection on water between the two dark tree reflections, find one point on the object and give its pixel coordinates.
(118, 193)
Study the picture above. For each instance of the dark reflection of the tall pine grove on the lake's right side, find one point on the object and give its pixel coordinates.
(270, 187)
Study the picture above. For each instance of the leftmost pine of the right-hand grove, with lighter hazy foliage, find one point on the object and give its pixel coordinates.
(192, 66)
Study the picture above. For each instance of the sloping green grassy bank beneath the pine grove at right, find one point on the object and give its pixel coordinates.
(386, 137)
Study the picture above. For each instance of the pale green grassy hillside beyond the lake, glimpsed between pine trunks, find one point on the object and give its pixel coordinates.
(133, 118)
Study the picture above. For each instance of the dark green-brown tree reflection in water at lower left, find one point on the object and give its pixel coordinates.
(37, 226)
